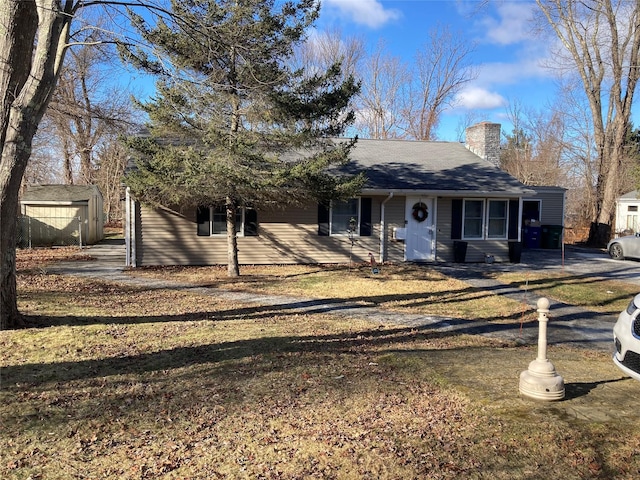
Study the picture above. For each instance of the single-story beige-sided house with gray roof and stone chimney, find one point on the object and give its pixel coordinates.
(423, 202)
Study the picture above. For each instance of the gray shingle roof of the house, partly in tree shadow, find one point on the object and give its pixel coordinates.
(428, 166)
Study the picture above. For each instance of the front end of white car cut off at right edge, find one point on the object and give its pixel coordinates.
(626, 336)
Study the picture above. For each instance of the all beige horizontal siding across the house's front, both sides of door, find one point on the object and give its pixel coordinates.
(166, 237)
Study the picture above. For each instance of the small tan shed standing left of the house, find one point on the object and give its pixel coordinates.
(61, 215)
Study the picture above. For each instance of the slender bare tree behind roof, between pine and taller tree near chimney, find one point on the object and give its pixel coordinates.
(379, 102)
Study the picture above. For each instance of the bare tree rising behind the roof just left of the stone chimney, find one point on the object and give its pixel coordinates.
(443, 68)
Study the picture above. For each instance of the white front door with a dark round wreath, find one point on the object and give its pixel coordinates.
(420, 216)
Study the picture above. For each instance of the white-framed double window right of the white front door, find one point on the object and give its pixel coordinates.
(485, 219)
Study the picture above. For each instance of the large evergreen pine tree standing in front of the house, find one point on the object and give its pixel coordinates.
(232, 124)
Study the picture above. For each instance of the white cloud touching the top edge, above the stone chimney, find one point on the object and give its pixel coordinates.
(513, 24)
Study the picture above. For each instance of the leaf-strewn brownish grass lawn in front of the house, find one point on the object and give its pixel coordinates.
(122, 382)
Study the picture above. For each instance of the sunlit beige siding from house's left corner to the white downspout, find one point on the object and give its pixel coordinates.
(288, 236)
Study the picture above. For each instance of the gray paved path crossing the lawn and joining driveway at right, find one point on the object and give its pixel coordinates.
(568, 324)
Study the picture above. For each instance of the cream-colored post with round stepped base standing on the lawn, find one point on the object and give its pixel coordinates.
(541, 381)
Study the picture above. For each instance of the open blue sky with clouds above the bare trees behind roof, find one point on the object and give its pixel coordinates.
(508, 57)
